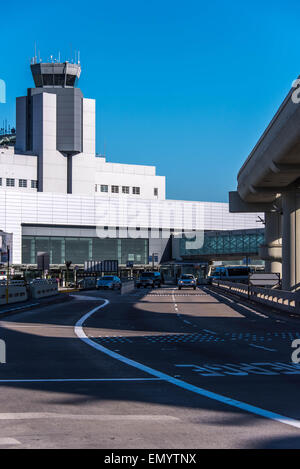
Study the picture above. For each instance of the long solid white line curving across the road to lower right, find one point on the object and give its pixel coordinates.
(182, 384)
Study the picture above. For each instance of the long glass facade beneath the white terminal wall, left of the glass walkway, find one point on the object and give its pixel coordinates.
(78, 250)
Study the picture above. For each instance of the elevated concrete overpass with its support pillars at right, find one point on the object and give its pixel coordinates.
(269, 181)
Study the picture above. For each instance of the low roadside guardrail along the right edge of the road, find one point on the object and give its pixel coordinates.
(278, 299)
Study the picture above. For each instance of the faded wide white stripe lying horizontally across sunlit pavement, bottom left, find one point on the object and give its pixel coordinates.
(104, 417)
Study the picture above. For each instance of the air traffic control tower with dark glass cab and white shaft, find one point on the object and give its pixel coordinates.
(56, 123)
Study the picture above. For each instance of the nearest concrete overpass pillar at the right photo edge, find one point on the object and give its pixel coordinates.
(291, 240)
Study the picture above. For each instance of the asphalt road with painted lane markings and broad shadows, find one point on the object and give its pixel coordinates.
(152, 369)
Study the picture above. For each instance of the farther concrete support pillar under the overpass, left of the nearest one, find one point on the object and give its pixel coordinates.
(271, 251)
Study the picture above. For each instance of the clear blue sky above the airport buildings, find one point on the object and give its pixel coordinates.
(186, 86)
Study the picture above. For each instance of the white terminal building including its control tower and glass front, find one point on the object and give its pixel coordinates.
(58, 196)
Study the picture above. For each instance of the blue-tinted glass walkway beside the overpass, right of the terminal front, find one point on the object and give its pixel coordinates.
(225, 242)
